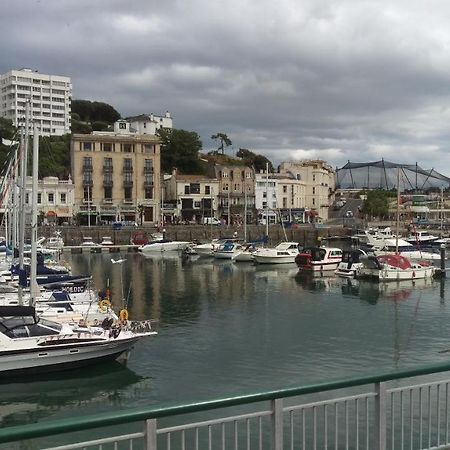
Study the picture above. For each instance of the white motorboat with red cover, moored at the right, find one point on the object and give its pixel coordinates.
(393, 268)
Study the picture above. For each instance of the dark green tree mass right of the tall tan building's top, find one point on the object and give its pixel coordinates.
(179, 148)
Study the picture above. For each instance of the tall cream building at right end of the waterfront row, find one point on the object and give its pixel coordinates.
(319, 183)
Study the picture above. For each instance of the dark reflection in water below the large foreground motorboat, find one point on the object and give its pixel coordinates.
(97, 387)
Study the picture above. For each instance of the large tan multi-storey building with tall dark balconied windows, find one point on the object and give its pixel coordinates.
(116, 175)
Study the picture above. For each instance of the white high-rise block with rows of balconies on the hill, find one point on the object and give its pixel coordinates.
(50, 99)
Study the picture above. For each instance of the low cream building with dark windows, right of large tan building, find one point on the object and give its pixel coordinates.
(194, 196)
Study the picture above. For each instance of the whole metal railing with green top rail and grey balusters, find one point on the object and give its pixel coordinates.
(370, 412)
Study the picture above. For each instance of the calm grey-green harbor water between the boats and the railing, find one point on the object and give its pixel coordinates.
(228, 329)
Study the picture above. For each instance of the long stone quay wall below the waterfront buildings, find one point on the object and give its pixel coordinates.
(305, 235)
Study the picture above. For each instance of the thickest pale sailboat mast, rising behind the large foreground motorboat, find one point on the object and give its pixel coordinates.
(34, 290)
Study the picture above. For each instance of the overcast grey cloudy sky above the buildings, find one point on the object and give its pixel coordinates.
(341, 80)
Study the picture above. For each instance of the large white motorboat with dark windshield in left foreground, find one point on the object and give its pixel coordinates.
(33, 345)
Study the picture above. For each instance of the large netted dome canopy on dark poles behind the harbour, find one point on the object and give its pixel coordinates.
(383, 175)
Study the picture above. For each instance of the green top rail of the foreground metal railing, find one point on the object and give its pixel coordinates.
(68, 425)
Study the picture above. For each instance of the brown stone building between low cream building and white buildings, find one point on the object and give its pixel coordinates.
(236, 191)
